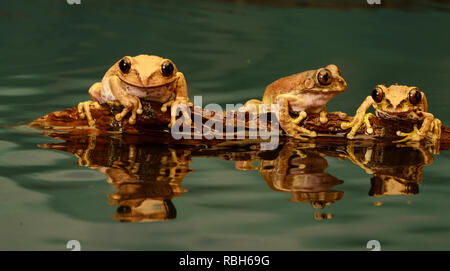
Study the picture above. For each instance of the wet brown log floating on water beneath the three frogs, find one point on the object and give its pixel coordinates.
(154, 124)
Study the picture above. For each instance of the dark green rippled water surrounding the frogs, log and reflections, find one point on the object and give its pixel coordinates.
(52, 52)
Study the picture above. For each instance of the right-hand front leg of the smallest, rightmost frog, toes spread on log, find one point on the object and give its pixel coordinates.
(429, 124)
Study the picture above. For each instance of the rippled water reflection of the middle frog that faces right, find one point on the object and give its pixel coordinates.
(299, 172)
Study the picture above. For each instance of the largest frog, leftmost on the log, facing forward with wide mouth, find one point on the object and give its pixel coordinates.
(130, 79)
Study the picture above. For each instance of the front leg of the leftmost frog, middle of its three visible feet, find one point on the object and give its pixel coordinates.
(130, 103)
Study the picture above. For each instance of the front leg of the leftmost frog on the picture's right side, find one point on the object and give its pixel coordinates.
(181, 98)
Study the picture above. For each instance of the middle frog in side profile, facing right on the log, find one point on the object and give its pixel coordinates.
(302, 93)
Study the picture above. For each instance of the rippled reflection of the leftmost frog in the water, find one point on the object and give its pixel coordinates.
(145, 194)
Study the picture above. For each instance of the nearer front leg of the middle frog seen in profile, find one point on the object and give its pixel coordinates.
(290, 125)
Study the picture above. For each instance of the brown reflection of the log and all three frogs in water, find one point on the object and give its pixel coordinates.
(147, 175)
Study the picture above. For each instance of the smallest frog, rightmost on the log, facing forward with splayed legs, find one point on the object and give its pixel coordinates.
(397, 103)
